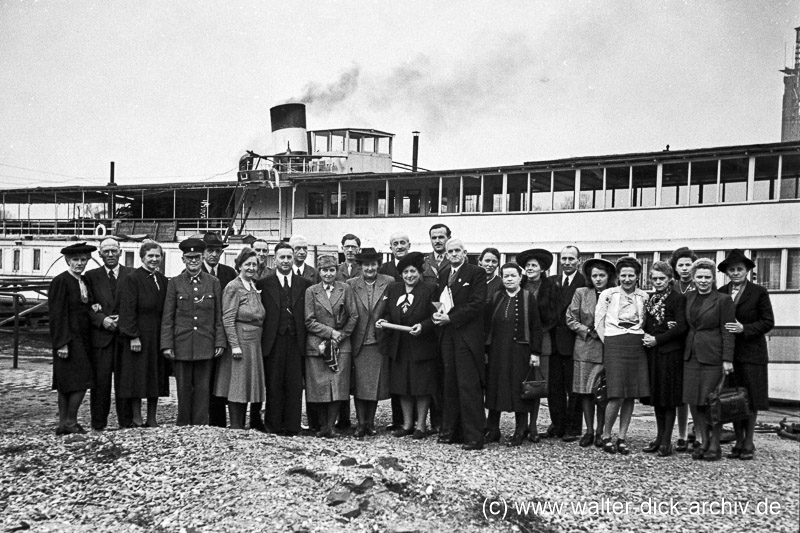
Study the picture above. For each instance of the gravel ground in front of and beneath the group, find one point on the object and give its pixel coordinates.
(211, 479)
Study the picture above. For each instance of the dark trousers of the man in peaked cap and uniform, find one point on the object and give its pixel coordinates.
(194, 393)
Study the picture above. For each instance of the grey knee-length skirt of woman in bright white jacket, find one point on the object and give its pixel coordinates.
(626, 366)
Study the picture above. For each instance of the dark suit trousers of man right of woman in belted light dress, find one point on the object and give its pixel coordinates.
(284, 380)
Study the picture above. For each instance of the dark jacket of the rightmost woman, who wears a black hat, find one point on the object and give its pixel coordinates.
(754, 312)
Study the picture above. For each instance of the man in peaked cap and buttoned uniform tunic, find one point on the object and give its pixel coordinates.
(192, 335)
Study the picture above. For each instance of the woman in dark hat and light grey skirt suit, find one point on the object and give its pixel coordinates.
(588, 353)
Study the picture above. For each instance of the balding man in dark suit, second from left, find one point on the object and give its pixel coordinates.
(102, 283)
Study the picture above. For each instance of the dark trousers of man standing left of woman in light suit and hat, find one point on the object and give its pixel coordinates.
(565, 406)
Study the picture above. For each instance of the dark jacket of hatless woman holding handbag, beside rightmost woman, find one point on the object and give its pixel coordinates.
(708, 339)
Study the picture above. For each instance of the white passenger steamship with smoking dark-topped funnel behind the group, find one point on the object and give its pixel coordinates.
(327, 183)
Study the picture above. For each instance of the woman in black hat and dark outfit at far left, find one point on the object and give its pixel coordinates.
(69, 308)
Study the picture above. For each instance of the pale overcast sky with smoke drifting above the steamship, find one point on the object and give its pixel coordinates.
(177, 90)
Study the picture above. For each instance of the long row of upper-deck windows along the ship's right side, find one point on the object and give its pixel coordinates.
(718, 181)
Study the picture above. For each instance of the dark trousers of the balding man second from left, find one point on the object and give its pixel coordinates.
(103, 360)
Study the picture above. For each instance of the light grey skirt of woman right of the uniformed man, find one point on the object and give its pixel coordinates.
(242, 380)
